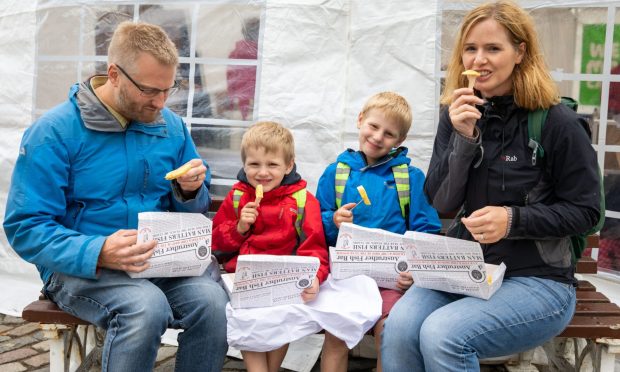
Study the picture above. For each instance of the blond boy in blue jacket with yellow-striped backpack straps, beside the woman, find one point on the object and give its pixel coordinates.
(394, 188)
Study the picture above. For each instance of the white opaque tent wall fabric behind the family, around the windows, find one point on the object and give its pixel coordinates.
(319, 61)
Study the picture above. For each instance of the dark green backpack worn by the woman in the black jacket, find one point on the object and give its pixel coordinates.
(535, 122)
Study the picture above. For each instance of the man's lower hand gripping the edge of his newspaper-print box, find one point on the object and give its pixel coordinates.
(121, 252)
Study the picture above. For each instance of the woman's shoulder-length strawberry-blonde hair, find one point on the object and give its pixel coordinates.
(533, 86)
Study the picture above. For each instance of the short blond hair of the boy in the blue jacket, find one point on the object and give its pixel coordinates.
(394, 107)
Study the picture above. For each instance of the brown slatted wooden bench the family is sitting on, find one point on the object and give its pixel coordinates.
(597, 321)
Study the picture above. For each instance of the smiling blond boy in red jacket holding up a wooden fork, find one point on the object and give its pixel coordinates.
(245, 224)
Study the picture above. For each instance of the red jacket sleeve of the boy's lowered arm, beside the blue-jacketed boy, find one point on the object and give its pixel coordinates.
(314, 243)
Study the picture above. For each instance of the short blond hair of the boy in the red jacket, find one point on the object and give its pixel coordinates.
(272, 137)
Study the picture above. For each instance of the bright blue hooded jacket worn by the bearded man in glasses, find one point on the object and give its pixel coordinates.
(80, 177)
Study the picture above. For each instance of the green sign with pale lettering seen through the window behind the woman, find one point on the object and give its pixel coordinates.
(592, 54)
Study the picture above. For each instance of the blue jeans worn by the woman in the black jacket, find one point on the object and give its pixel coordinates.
(430, 330)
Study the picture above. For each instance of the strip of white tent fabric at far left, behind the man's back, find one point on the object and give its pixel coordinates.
(19, 281)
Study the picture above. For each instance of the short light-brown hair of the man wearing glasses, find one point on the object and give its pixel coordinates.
(132, 38)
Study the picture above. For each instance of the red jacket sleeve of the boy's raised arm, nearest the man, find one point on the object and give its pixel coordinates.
(225, 237)
